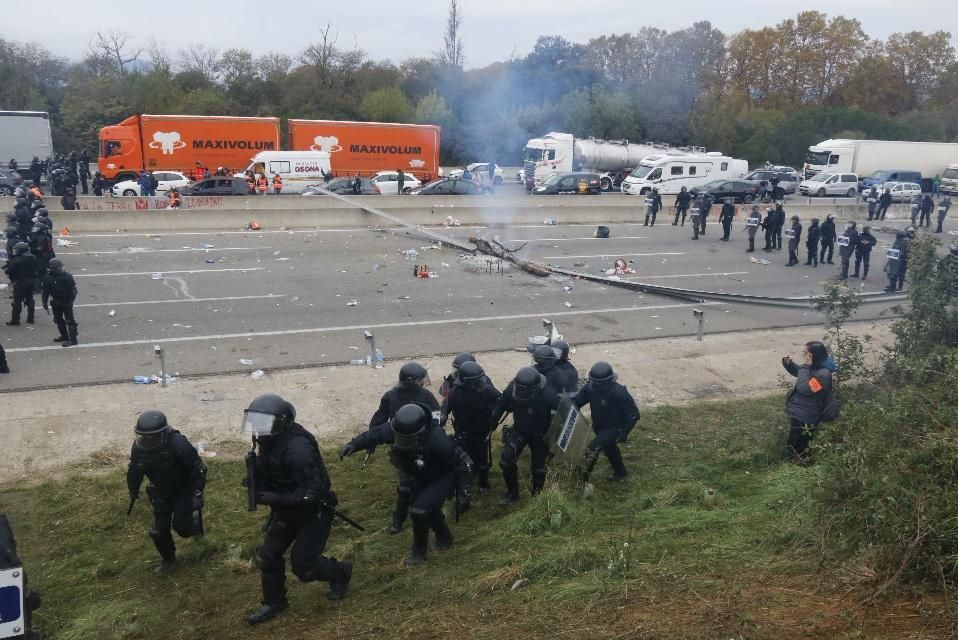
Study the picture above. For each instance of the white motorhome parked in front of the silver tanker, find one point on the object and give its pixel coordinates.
(670, 173)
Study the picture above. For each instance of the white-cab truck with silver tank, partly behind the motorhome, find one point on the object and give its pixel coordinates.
(612, 159)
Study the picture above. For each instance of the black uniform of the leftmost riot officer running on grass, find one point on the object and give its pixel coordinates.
(177, 476)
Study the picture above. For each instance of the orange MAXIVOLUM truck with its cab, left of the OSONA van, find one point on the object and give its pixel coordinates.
(177, 143)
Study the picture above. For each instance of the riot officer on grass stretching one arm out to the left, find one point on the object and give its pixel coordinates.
(436, 466)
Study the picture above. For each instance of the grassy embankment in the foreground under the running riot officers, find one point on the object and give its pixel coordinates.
(642, 560)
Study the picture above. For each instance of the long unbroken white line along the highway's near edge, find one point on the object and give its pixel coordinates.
(358, 327)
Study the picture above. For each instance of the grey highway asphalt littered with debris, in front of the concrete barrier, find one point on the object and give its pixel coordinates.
(284, 298)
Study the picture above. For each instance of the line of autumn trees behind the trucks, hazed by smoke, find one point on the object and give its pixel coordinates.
(764, 94)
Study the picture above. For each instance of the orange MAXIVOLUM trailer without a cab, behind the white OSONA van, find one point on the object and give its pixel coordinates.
(363, 148)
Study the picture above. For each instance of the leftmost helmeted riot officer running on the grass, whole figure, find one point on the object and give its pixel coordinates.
(177, 478)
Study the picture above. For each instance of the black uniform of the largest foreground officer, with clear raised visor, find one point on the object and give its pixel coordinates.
(292, 479)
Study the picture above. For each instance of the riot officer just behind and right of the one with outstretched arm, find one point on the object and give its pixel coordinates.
(471, 401)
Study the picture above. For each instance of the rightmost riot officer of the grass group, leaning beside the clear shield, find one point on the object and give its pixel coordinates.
(614, 415)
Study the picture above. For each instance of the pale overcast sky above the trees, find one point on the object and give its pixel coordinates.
(492, 30)
